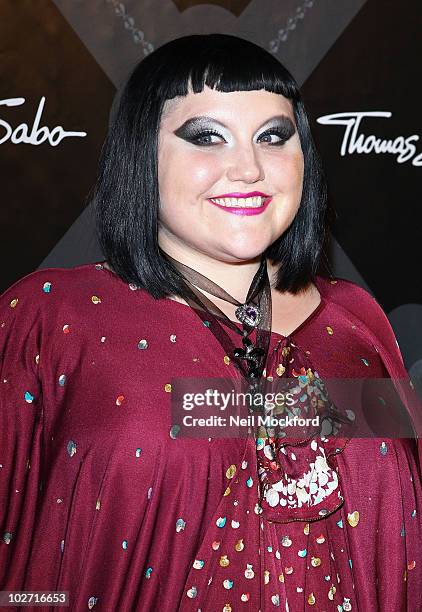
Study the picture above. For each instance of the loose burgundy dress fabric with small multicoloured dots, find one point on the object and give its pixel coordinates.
(100, 497)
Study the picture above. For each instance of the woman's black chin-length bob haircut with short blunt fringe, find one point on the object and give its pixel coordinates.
(126, 193)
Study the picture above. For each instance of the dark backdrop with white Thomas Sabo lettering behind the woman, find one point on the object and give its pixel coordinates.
(62, 63)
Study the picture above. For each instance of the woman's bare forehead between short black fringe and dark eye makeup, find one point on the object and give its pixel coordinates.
(240, 105)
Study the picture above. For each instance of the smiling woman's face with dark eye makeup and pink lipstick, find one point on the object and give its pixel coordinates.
(227, 145)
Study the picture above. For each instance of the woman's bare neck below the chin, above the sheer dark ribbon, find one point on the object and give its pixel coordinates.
(234, 277)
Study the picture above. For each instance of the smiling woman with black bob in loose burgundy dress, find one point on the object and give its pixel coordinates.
(209, 197)
